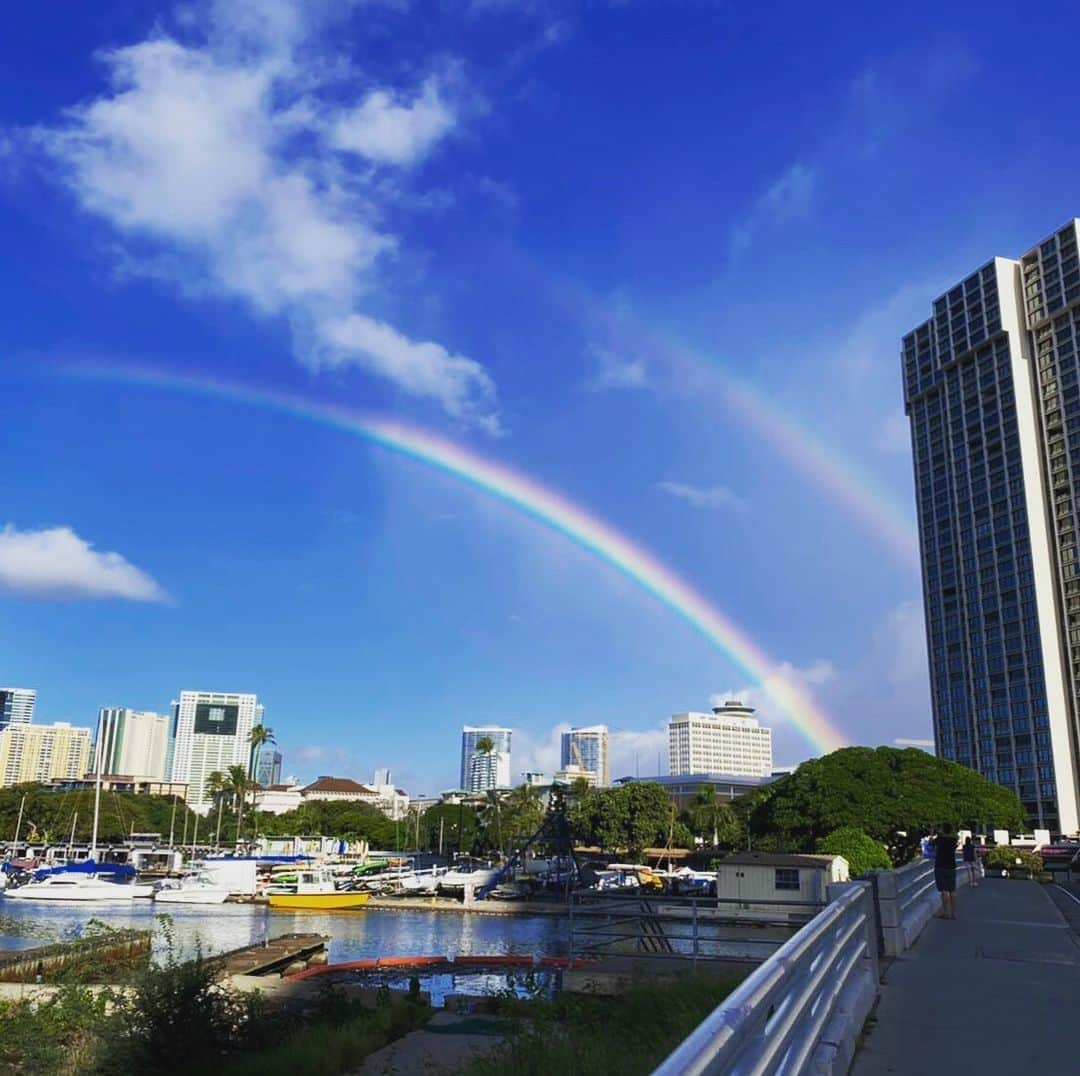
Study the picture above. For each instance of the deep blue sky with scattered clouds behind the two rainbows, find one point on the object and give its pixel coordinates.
(555, 233)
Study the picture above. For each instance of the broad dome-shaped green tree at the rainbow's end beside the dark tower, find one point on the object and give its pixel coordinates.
(894, 796)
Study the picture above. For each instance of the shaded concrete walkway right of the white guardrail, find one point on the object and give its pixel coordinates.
(995, 991)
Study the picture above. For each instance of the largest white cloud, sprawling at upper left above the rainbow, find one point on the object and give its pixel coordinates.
(227, 166)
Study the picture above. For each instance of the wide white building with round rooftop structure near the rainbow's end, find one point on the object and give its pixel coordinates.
(730, 741)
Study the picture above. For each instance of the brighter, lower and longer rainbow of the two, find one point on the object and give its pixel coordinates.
(532, 500)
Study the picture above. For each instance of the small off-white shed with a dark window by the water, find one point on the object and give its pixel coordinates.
(776, 885)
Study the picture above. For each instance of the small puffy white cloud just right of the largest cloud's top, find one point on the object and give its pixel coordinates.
(384, 129)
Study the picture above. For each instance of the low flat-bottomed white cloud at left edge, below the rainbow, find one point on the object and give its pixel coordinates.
(57, 563)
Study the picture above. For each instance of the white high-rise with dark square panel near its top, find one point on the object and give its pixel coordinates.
(211, 732)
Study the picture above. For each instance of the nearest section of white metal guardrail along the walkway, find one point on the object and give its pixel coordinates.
(803, 1010)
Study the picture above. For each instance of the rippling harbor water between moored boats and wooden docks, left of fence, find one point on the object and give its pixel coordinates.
(354, 935)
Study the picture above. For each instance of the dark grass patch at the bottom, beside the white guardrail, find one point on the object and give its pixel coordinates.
(624, 1035)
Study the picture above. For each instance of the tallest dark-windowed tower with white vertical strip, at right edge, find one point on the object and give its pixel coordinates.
(992, 385)
